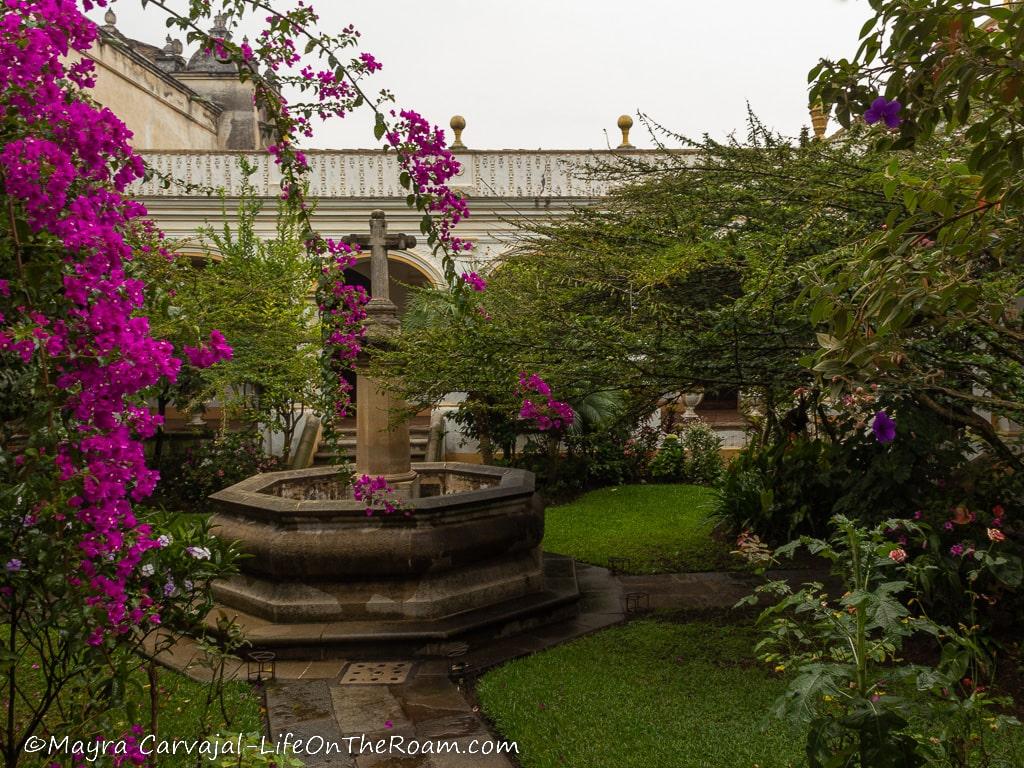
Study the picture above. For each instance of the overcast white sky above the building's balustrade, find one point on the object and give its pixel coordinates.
(557, 74)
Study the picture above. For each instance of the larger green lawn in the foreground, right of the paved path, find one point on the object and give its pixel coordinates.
(649, 694)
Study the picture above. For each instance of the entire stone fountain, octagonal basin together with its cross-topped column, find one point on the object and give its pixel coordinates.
(324, 578)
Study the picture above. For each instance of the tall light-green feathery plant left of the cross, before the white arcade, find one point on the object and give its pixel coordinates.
(260, 293)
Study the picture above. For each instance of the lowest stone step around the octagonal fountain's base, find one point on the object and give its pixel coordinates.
(385, 639)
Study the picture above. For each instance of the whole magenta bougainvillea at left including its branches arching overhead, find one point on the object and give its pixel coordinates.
(88, 575)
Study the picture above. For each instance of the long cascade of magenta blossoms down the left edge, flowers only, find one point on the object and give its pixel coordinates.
(65, 174)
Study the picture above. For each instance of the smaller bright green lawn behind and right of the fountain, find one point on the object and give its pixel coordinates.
(661, 529)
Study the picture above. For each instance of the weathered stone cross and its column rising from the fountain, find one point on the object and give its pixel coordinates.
(381, 445)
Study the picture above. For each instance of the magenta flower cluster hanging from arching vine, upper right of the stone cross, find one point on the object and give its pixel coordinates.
(423, 154)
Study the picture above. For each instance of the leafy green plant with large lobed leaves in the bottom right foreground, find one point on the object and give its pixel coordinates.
(862, 703)
